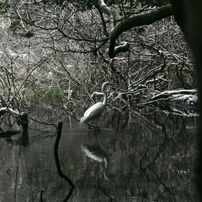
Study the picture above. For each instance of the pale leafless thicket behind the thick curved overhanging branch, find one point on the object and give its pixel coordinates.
(63, 51)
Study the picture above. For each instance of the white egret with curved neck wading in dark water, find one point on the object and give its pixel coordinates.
(96, 110)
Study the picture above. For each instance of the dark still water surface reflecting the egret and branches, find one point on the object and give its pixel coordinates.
(147, 157)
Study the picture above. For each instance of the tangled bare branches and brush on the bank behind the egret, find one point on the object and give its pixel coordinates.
(62, 51)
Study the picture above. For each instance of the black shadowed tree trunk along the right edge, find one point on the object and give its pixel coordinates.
(188, 14)
